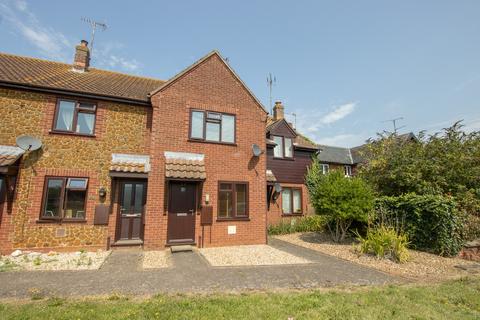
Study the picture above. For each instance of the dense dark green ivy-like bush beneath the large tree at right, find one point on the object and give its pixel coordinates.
(431, 222)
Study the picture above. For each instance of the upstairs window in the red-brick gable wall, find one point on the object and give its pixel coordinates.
(212, 126)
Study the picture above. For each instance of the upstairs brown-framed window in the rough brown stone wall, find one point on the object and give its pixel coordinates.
(75, 117)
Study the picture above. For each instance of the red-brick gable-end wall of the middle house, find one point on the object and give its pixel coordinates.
(209, 86)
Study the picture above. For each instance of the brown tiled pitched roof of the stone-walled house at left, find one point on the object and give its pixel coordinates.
(38, 73)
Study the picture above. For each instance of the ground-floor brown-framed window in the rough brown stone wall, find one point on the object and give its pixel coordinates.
(64, 198)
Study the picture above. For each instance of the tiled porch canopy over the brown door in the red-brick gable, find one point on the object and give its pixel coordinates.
(184, 166)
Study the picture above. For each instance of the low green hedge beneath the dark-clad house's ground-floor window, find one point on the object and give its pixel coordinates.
(303, 224)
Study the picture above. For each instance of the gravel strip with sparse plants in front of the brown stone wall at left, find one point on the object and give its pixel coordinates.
(30, 261)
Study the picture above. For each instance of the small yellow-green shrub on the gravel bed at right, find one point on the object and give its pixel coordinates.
(384, 242)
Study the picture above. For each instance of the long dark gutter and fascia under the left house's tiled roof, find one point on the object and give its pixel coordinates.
(24, 86)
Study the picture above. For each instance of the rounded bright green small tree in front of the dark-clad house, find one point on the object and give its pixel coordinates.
(342, 200)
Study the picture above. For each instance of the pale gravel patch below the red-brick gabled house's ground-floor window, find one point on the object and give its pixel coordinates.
(249, 255)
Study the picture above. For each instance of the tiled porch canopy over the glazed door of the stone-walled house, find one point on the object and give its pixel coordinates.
(129, 165)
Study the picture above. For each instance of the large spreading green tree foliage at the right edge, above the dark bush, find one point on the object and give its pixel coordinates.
(446, 162)
